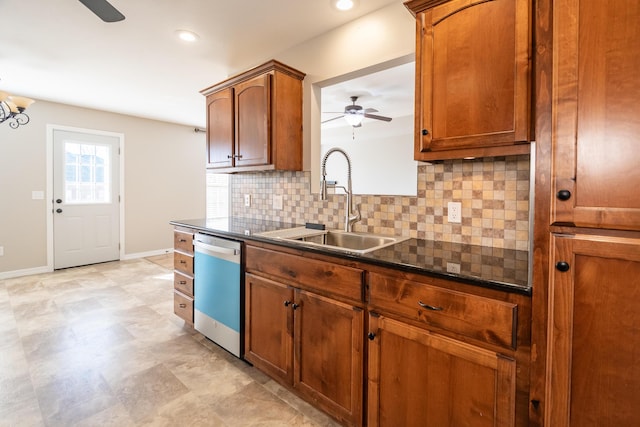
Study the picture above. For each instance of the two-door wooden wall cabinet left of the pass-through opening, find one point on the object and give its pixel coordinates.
(254, 120)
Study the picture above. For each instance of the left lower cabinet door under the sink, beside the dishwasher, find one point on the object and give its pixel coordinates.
(269, 327)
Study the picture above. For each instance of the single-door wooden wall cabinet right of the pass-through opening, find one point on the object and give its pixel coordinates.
(473, 86)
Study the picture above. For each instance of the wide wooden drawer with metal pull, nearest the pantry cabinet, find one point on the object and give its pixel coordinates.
(481, 318)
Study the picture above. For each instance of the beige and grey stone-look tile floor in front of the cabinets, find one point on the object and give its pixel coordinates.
(100, 346)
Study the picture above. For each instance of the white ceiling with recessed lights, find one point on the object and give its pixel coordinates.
(60, 51)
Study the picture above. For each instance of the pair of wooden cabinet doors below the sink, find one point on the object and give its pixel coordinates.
(309, 342)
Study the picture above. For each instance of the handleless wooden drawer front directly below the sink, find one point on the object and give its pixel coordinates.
(307, 273)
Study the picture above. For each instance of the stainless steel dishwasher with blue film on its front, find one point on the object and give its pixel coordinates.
(217, 282)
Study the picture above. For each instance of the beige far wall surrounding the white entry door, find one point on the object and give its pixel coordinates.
(164, 179)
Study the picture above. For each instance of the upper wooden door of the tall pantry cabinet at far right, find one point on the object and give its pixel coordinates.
(596, 114)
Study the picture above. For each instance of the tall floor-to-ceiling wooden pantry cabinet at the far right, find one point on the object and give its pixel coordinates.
(586, 332)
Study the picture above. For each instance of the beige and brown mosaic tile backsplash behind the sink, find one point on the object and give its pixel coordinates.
(494, 193)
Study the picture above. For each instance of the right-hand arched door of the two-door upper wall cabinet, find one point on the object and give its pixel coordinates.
(253, 118)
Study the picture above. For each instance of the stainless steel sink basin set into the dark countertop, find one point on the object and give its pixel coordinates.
(346, 241)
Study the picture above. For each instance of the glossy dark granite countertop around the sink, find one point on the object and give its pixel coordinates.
(502, 269)
